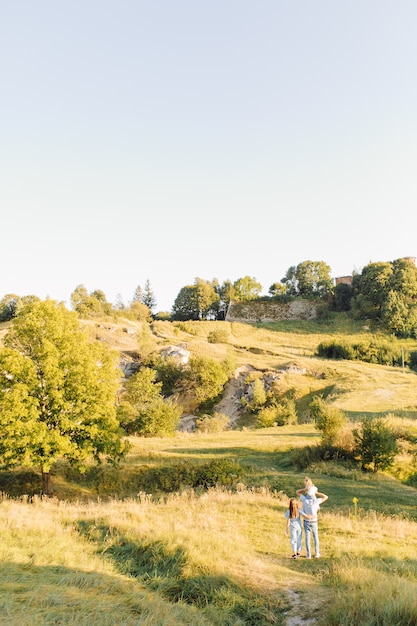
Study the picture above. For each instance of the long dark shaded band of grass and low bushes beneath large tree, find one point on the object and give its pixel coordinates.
(195, 468)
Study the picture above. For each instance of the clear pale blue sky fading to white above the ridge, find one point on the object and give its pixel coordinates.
(174, 139)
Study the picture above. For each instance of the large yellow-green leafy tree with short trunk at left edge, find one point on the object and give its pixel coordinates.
(57, 392)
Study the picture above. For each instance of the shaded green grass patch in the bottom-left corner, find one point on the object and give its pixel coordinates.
(33, 594)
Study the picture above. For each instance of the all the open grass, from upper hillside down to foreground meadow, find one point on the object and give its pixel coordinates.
(111, 550)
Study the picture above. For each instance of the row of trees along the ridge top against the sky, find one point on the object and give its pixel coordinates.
(384, 293)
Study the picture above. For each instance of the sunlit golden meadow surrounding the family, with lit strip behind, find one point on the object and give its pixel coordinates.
(217, 556)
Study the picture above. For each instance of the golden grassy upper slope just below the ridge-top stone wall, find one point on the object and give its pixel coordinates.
(358, 388)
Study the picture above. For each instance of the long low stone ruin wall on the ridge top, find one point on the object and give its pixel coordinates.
(271, 311)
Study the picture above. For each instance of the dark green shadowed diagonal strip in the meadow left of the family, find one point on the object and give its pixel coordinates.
(167, 571)
